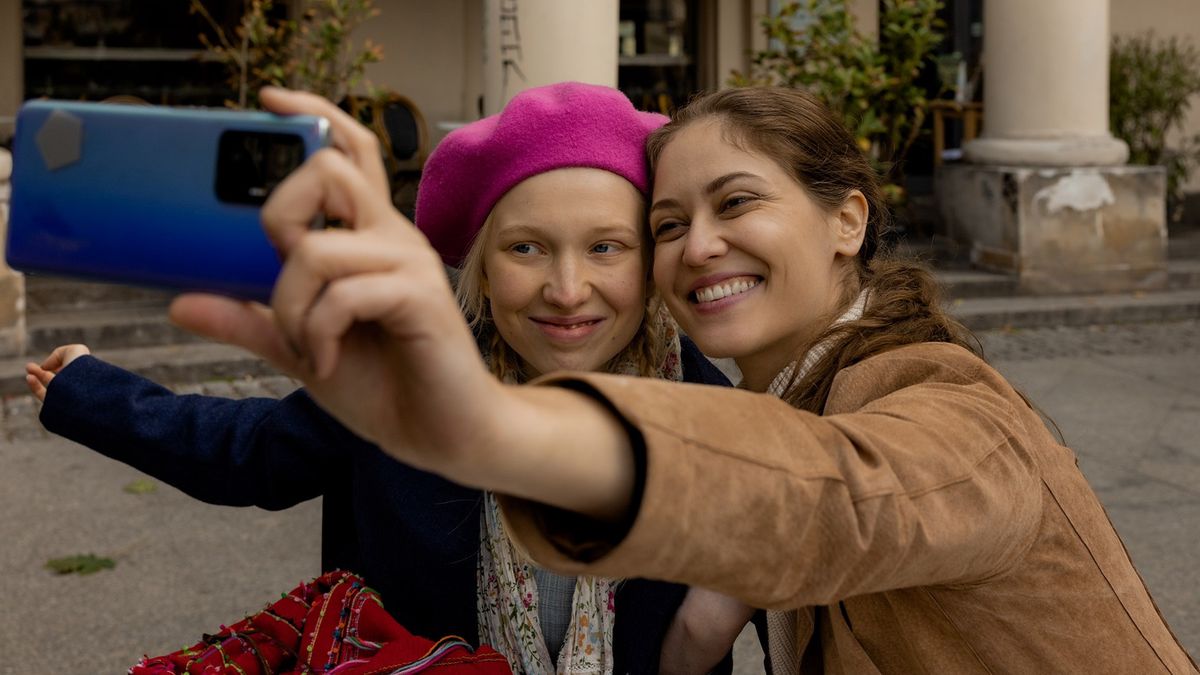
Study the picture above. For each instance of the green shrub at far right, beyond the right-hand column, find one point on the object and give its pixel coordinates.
(1151, 82)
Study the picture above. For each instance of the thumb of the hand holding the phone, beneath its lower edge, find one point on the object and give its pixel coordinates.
(250, 326)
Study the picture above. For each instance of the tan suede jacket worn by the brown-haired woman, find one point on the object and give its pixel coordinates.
(928, 523)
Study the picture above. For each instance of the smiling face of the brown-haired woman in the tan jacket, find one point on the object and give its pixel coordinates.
(749, 265)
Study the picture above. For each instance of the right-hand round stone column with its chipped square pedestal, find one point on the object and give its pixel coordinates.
(1045, 194)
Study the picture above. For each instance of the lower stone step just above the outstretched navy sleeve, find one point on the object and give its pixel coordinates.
(169, 365)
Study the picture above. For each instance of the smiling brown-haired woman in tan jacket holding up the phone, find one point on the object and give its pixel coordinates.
(890, 497)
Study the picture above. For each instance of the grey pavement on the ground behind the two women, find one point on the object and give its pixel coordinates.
(1127, 399)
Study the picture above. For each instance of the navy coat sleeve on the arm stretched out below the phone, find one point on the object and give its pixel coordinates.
(272, 453)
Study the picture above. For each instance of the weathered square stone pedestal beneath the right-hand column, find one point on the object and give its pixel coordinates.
(1072, 230)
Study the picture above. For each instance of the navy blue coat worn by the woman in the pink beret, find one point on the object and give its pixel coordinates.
(413, 536)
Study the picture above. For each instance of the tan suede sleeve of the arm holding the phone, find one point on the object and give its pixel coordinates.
(921, 473)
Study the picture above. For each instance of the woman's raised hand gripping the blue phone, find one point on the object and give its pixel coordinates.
(363, 315)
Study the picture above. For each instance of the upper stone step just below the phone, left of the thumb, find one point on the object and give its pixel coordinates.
(104, 330)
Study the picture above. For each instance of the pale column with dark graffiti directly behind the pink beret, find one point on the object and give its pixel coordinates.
(535, 43)
